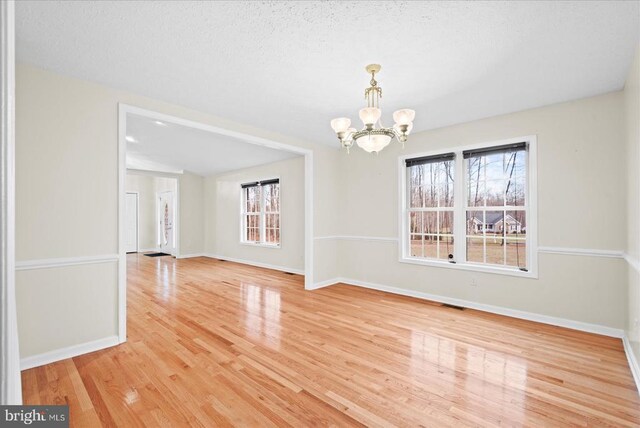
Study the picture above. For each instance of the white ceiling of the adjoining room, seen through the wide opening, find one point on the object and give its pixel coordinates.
(171, 148)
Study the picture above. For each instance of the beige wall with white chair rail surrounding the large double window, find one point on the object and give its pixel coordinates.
(581, 182)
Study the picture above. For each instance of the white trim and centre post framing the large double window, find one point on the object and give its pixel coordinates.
(460, 211)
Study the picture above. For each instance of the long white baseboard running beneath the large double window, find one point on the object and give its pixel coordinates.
(545, 319)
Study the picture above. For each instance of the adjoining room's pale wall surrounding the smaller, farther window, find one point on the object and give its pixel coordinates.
(223, 201)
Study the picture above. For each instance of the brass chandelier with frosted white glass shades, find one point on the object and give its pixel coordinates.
(374, 136)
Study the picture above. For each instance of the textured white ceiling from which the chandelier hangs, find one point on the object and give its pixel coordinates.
(293, 66)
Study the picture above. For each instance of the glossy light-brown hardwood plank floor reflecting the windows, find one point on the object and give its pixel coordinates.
(214, 343)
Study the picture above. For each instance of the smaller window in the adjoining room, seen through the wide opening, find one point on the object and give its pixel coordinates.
(261, 213)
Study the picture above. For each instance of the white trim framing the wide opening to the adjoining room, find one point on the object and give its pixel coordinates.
(123, 110)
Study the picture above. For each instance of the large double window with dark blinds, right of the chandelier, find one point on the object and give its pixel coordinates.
(471, 208)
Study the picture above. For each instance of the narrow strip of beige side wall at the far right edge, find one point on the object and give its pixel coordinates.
(632, 128)
